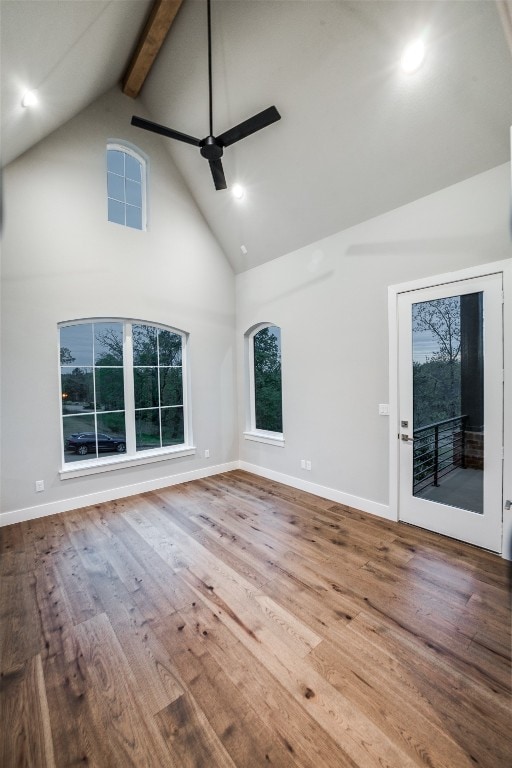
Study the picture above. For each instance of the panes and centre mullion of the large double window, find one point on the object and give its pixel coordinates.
(122, 389)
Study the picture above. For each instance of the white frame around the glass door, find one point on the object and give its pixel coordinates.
(505, 268)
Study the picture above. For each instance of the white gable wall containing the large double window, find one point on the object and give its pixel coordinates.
(62, 260)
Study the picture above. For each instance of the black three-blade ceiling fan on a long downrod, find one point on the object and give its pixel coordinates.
(212, 147)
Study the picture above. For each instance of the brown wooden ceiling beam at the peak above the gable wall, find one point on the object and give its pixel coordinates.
(159, 23)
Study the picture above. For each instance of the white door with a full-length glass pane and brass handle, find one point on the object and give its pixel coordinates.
(451, 409)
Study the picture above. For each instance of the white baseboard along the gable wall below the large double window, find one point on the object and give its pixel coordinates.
(77, 502)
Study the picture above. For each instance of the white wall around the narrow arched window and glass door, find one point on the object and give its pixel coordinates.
(330, 300)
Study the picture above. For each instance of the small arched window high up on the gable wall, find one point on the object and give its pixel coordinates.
(126, 186)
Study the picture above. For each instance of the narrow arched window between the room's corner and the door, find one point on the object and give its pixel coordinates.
(264, 420)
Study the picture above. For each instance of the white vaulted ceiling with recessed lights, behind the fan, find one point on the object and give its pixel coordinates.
(357, 137)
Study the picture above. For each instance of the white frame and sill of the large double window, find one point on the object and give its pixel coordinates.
(132, 457)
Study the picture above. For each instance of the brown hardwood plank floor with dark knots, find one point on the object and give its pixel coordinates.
(237, 622)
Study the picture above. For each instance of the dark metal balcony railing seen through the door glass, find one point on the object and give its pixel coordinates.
(438, 449)
